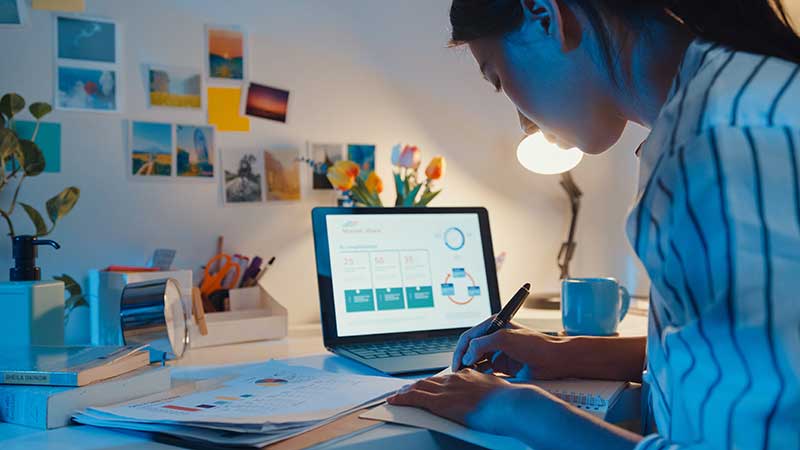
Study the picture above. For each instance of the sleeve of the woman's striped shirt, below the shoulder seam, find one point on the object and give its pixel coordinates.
(734, 232)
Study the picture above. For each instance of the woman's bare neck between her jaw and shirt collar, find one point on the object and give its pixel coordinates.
(655, 58)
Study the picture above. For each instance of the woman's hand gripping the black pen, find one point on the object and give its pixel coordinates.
(514, 351)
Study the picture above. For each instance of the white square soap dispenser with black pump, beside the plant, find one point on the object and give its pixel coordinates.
(31, 310)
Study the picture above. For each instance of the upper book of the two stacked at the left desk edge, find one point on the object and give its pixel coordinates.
(68, 365)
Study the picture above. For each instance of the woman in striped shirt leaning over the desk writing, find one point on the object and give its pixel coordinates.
(716, 222)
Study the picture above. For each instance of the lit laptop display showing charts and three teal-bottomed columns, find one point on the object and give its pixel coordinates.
(395, 273)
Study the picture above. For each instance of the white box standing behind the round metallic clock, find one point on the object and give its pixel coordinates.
(105, 292)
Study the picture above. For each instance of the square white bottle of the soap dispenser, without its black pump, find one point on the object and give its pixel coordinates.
(33, 312)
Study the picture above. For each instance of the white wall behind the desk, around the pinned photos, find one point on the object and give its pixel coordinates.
(359, 71)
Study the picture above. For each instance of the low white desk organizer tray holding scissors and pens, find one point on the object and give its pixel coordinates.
(254, 316)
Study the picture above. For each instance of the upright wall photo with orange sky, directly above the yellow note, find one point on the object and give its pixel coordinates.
(226, 52)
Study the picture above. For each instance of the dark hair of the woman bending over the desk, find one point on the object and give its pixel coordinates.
(756, 26)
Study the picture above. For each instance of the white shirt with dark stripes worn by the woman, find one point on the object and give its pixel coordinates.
(717, 226)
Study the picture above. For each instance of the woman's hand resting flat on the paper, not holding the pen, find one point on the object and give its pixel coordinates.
(454, 396)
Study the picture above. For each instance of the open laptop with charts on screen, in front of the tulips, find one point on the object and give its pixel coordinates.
(398, 286)
